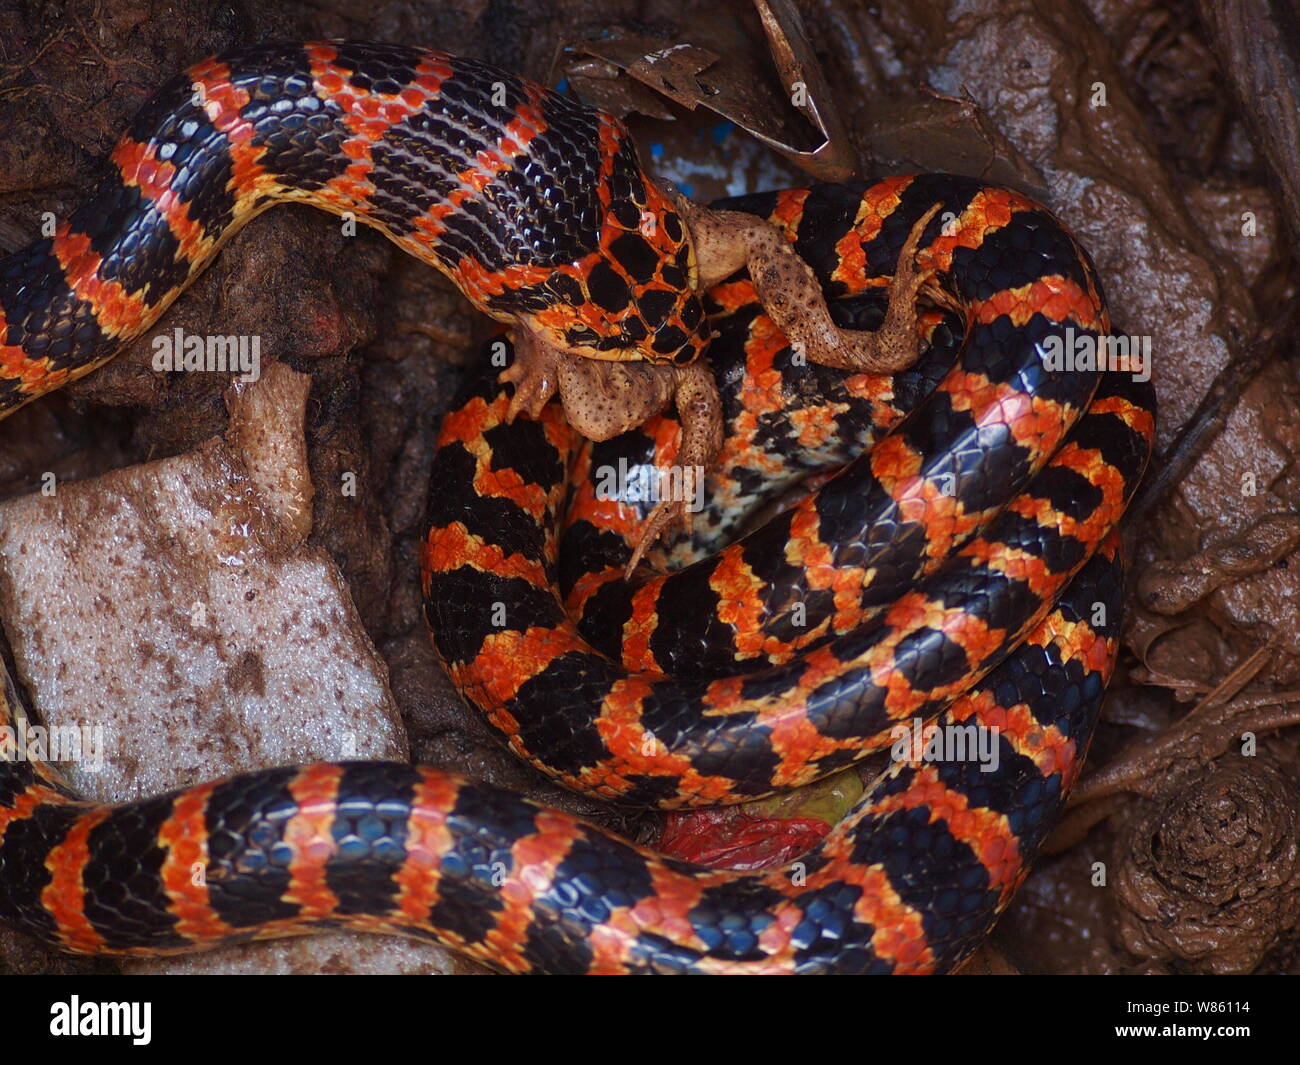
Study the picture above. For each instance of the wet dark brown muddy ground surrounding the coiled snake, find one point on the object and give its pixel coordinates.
(1154, 129)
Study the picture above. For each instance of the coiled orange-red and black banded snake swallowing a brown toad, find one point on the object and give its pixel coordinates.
(963, 565)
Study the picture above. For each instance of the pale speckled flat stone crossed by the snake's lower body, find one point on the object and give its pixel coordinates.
(176, 613)
